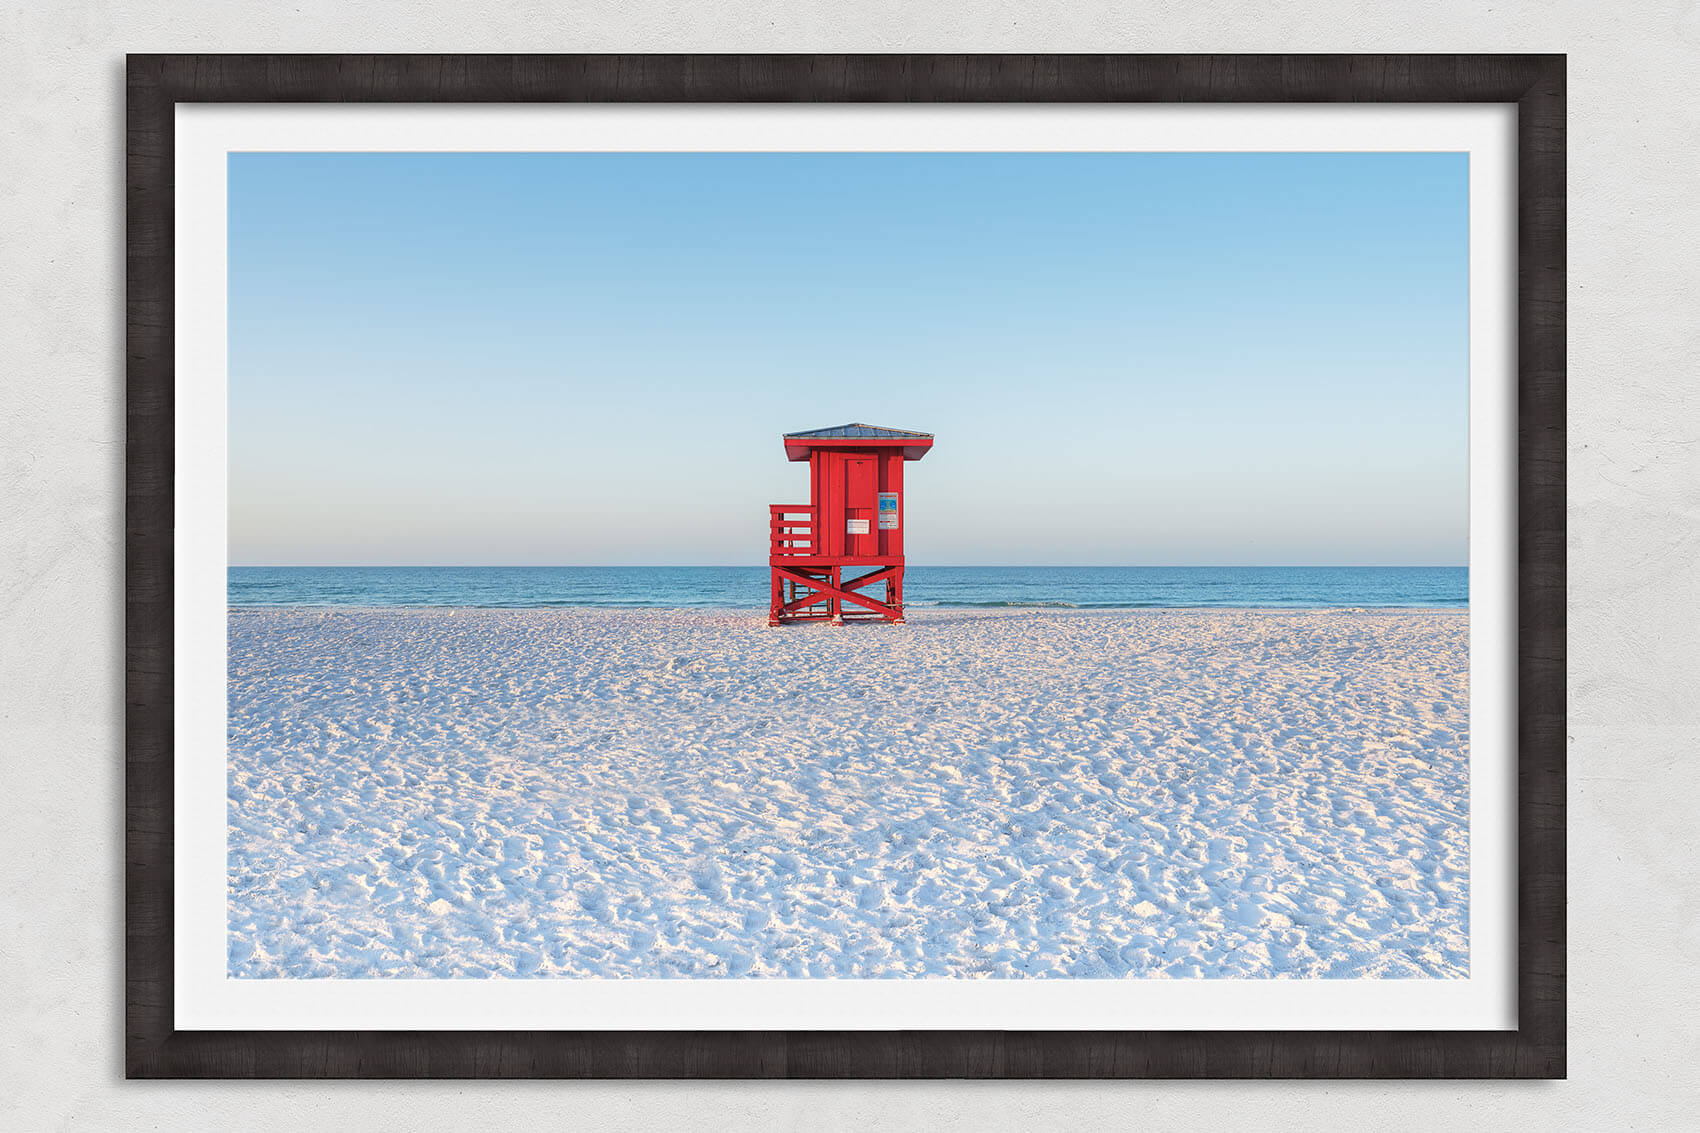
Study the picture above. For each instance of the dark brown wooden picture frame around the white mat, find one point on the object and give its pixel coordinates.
(1536, 84)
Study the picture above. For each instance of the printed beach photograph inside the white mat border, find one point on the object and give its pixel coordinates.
(849, 567)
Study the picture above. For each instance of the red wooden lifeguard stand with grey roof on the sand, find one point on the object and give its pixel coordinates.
(854, 518)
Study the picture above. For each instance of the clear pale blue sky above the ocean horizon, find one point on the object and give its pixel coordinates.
(1128, 360)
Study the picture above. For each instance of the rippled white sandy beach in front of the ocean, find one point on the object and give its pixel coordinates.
(977, 794)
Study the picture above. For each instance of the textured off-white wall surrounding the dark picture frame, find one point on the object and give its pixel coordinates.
(1635, 555)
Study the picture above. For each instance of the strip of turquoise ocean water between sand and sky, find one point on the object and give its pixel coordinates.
(747, 588)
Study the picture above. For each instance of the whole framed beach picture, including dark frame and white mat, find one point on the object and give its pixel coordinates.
(846, 567)
